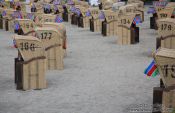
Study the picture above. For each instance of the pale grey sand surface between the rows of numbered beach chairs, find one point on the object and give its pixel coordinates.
(99, 76)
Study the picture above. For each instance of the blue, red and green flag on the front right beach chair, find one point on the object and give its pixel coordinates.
(151, 70)
